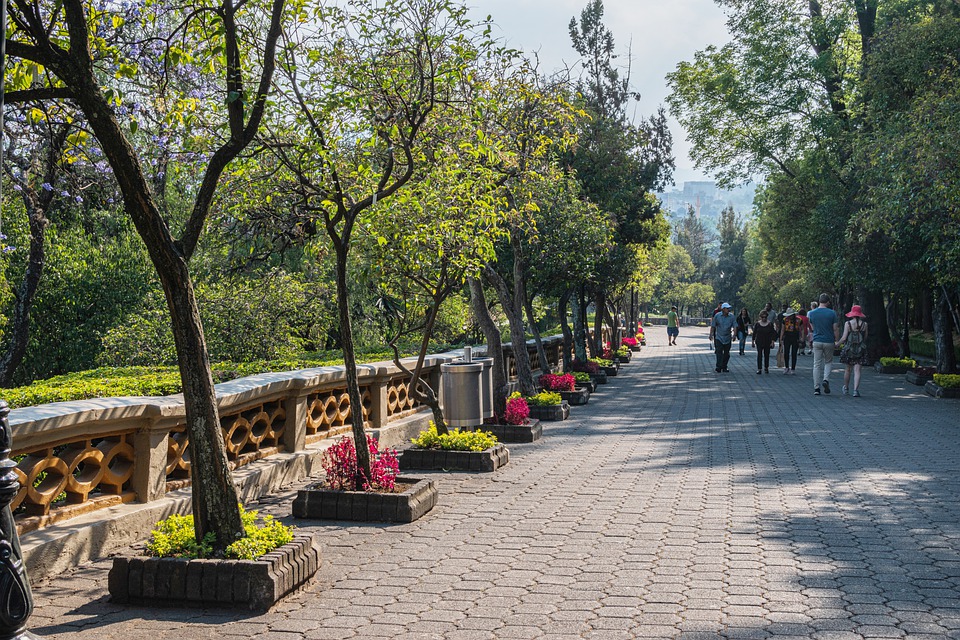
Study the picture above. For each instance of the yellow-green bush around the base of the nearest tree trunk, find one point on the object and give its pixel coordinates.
(174, 538)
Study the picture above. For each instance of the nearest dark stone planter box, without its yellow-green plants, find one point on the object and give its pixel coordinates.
(238, 584)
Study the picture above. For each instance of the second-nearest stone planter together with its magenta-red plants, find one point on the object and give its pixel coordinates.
(385, 497)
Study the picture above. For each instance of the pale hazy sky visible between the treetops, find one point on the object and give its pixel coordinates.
(652, 35)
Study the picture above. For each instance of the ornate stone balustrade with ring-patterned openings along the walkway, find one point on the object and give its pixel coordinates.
(76, 457)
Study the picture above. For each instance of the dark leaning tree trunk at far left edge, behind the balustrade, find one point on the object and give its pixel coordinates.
(20, 323)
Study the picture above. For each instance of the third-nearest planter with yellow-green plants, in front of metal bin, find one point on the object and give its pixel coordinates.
(455, 451)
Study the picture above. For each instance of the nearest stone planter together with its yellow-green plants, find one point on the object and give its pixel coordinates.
(258, 570)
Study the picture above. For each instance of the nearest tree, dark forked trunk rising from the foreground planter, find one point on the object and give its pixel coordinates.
(86, 58)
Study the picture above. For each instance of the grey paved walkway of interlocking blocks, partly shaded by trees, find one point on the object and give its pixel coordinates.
(680, 503)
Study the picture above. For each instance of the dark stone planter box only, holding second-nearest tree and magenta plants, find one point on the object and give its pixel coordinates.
(366, 506)
